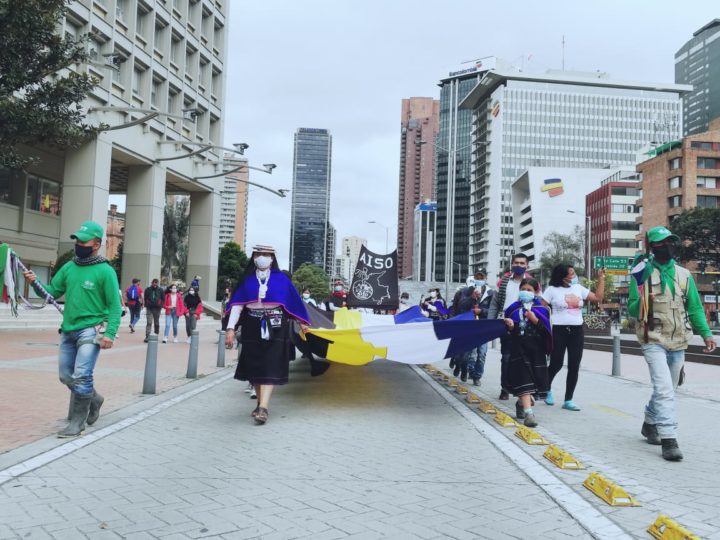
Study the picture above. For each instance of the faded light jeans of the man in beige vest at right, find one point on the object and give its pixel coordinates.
(664, 368)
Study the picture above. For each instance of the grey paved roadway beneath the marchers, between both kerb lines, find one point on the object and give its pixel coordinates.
(368, 452)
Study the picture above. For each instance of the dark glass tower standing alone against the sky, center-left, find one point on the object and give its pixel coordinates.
(310, 212)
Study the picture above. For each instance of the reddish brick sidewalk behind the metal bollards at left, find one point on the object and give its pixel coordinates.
(38, 402)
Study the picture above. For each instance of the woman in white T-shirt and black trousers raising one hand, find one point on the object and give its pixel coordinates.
(566, 297)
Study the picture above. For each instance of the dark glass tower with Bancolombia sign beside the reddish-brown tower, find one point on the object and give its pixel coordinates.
(453, 157)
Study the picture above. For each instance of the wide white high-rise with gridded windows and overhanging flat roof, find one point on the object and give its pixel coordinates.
(557, 119)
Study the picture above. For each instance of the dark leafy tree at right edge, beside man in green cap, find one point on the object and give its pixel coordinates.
(699, 230)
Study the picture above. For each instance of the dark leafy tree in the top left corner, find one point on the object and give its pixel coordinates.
(39, 102)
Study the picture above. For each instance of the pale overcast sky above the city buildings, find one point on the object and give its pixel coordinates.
(345, 66)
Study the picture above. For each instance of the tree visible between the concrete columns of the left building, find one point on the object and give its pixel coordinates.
(175, 238)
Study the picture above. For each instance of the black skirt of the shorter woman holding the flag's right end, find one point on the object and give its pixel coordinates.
(527, 371)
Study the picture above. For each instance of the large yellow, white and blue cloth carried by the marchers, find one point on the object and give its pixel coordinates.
(357, 338)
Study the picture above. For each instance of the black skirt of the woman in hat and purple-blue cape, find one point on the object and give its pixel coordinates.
(264, 361)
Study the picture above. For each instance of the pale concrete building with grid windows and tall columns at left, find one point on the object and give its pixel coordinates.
(160, 67)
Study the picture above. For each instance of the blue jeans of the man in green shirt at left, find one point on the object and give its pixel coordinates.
(78, 355)
